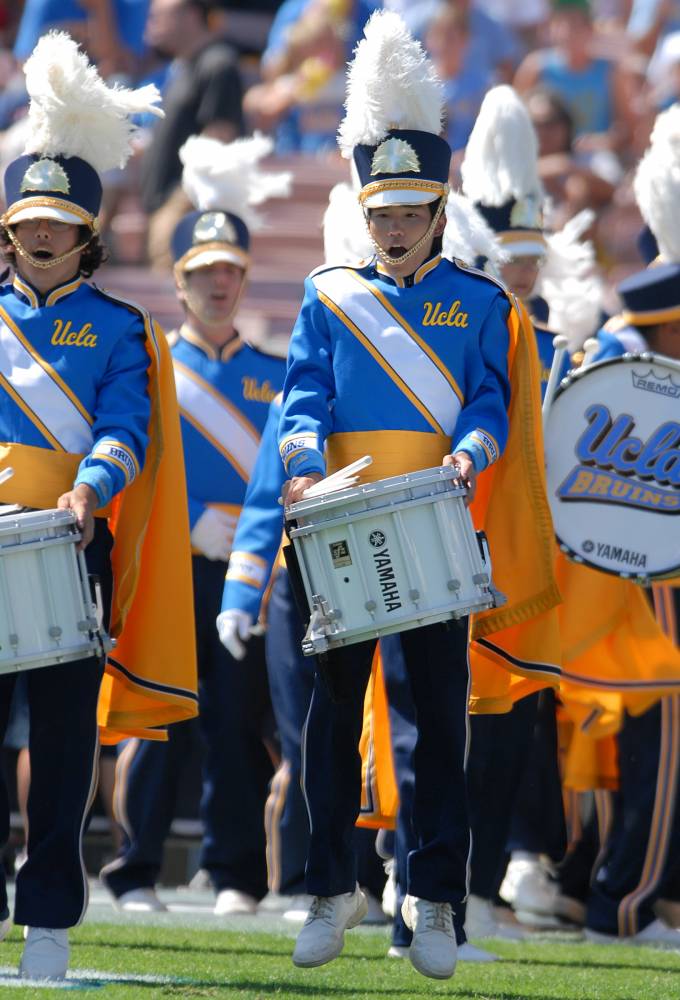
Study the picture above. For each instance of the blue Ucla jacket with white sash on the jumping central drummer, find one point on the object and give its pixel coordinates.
(369, 353)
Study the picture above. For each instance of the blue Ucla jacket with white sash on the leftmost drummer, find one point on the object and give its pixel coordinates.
(73, 366)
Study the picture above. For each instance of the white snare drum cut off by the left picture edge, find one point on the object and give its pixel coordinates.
(47, 615)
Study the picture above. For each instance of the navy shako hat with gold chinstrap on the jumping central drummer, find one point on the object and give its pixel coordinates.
(408, 167)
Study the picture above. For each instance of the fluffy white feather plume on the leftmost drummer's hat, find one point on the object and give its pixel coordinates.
(73, 112)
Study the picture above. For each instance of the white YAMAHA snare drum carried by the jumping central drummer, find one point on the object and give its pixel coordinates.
(389, 556)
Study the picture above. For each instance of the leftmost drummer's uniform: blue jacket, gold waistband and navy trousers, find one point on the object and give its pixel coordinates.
(73, 387)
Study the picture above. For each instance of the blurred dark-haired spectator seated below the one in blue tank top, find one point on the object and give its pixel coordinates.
(573, 178)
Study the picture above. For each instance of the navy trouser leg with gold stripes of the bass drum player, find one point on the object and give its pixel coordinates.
(644, 840)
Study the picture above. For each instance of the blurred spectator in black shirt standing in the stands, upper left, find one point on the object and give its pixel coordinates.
(203, 96)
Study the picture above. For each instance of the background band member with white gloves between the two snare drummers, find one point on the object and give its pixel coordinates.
(224, 389)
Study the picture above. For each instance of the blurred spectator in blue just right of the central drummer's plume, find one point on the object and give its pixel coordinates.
(465, 80)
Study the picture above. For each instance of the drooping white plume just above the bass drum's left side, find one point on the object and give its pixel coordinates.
(570, 283)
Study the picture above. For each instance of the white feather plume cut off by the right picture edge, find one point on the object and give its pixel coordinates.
(657, 184)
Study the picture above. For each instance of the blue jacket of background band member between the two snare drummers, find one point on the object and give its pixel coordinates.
(224, 400)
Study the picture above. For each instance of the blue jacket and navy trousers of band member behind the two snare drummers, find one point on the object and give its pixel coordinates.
(224, 399)
